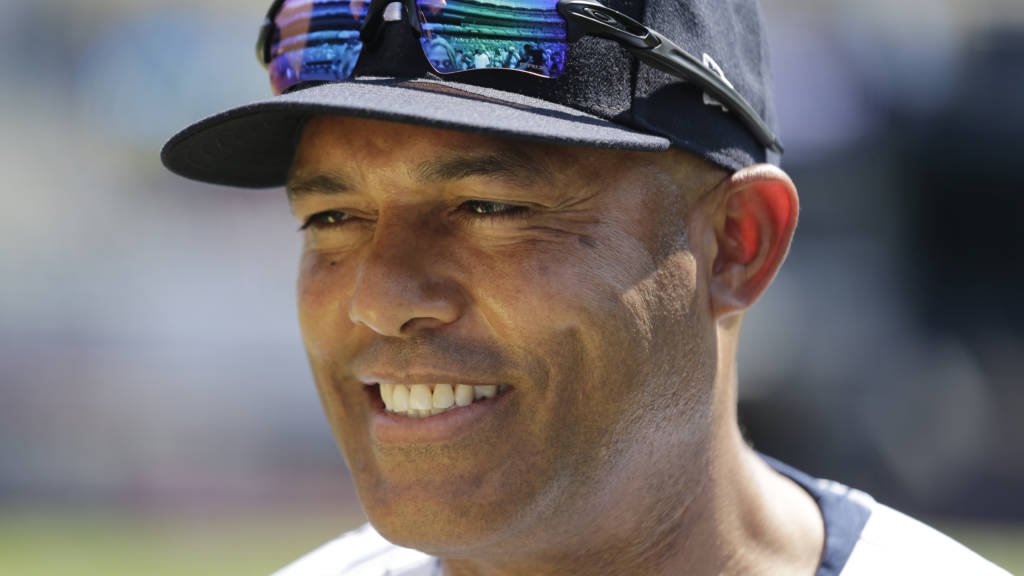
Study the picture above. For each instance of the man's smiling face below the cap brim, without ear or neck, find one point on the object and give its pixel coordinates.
(561, 275)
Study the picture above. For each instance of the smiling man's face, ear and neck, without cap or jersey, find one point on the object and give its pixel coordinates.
(527, 359)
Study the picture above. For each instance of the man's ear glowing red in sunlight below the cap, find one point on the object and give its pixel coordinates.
(753, 223)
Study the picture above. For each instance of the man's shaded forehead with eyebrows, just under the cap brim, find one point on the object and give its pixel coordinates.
(364, 150)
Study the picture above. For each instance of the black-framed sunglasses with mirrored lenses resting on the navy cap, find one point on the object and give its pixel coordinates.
(321, 42)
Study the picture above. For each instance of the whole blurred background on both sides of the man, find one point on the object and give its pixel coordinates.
(157, 416)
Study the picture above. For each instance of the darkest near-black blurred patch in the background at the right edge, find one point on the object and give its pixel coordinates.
(968, 164)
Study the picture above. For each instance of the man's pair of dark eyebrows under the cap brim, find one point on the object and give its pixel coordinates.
(514, 164)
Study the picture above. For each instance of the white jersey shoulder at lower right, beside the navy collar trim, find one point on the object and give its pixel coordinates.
(895, 544)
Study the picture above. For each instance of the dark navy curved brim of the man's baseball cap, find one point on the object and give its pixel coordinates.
(252, 146)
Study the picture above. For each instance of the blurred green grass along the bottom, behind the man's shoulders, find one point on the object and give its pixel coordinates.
(106, 543)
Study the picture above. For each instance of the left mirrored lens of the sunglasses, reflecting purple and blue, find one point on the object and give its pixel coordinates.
(316, 40)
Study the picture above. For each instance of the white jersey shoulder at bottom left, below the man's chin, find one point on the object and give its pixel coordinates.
(361, 553)
